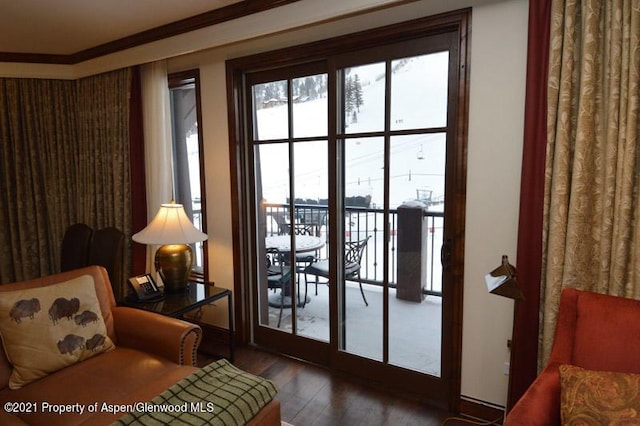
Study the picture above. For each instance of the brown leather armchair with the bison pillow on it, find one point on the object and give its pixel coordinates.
(150, 354)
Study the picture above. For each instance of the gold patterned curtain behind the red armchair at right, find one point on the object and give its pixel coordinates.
(591, 207)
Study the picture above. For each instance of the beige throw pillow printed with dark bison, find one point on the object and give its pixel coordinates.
(48, 328)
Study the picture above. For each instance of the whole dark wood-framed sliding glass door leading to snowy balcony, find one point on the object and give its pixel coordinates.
(355, 205)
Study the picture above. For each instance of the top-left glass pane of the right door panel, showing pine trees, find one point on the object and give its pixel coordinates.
(363, 98)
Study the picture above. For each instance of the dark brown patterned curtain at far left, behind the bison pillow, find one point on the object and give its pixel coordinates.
(38, 151)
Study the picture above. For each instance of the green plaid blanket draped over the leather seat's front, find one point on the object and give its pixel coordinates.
(218, 394)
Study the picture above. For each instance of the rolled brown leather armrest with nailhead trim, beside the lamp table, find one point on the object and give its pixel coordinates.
(168, 337)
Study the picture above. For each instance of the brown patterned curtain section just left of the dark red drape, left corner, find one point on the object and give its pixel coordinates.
(103, 172)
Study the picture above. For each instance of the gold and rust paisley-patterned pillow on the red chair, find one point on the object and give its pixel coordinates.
(598, 397)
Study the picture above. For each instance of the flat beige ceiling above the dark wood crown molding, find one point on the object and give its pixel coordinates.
(66, 27)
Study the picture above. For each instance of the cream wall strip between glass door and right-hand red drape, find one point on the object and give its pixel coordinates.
(496, 120)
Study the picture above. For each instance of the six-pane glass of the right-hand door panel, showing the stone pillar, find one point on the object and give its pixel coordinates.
(402, 324)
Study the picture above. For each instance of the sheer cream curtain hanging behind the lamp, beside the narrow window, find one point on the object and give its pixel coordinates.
(156, 117)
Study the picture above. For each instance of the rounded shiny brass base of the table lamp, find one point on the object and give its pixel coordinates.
(174, 262)
